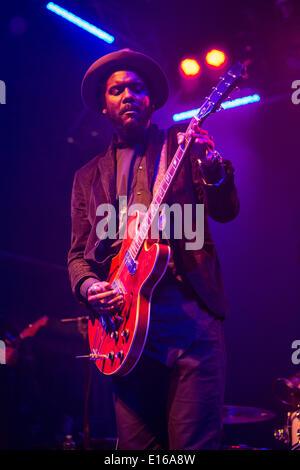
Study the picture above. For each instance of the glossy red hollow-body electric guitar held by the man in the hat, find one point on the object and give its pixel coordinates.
(117, 343)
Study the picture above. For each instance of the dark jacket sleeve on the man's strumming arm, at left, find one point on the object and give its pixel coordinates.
(79, 268)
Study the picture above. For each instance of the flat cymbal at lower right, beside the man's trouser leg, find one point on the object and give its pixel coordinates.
(245, 414)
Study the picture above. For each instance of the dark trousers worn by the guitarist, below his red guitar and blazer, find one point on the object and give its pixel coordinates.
(174, 407)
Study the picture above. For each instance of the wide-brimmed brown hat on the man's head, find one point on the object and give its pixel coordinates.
(124, 59)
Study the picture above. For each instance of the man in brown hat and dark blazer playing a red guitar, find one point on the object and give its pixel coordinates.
(173, 397)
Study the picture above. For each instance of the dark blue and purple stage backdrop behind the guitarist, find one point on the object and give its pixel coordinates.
(46, 135)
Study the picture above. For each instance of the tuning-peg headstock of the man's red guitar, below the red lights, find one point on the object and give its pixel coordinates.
(228, 82)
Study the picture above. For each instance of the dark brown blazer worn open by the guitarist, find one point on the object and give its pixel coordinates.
(95, 184)
